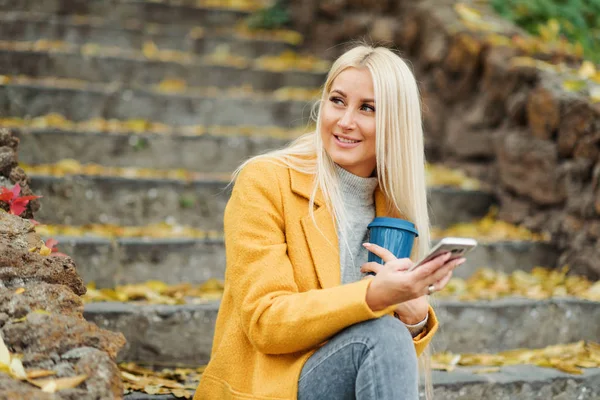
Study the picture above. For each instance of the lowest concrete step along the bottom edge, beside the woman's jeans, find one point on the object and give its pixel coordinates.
(515, 382)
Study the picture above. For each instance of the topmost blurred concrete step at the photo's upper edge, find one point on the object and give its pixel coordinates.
(120, 11)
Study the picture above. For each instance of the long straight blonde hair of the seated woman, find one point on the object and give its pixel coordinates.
(399, 150)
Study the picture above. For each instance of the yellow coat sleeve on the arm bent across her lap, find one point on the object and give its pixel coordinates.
(275, 316)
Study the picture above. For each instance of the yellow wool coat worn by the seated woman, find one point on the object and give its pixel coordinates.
(283, 298)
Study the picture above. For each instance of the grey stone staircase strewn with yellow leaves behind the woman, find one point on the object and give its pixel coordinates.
(107, 68)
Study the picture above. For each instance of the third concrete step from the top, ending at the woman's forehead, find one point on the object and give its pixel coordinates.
(138, 70)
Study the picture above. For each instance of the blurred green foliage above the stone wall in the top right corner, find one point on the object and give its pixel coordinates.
(576, 20)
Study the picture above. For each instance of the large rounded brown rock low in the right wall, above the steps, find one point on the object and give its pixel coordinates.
(529, 167)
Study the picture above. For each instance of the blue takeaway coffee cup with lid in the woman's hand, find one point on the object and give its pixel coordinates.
(395, 234)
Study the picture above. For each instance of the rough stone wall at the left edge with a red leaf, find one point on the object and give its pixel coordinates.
(41, 316)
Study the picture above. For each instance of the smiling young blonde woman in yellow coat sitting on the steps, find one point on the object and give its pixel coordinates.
(299, 316)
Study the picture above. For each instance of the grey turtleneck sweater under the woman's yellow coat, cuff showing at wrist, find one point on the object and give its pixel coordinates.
(359, 206)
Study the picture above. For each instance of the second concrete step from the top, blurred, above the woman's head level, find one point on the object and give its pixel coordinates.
(29, 27)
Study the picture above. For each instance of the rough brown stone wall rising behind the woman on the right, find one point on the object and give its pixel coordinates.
(495, 105)
